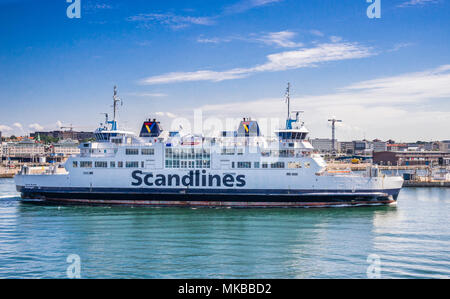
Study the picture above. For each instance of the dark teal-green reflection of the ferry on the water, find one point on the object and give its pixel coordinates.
(204, 242)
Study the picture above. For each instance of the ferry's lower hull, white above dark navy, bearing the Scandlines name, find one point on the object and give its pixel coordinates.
(237, 188)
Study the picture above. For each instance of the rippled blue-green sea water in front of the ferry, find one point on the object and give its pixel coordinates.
(412, 240)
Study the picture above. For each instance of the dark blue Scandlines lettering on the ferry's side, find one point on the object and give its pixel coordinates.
(195, 178)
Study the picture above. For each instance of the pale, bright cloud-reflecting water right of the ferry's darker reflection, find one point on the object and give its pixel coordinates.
(416, 242)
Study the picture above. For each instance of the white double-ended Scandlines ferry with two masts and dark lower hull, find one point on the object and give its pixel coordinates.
(239, 169)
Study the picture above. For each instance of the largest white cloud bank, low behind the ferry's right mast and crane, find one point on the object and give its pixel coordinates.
(403, 107)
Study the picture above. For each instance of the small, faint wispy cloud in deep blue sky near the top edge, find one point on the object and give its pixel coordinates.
(171, 20)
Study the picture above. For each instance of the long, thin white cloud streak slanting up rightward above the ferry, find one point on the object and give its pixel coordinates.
(276, 62)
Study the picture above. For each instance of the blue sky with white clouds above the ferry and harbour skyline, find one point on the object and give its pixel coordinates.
(386, 78)
